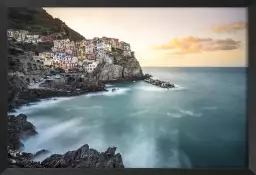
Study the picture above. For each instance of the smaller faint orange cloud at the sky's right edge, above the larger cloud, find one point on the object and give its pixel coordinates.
(229, 28)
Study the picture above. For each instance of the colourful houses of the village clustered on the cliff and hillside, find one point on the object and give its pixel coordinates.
(69, 55)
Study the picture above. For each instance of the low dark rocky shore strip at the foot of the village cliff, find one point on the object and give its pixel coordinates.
(75, 88)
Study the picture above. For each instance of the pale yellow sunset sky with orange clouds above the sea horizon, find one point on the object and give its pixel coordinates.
(168, 37)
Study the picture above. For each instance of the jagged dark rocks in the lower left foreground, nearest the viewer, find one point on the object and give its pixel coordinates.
(84, 157)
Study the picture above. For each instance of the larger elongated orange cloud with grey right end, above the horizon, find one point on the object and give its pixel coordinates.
(190, 44)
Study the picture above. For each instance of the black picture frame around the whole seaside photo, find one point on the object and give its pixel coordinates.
(251, 83)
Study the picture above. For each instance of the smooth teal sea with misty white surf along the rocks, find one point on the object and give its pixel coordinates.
(199, 124)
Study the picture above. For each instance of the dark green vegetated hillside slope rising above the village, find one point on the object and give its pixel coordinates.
(38, 21)
